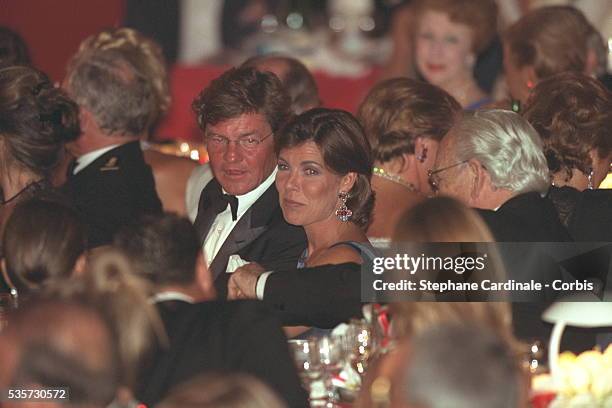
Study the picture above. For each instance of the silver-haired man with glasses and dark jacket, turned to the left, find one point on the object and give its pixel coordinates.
(493, 160)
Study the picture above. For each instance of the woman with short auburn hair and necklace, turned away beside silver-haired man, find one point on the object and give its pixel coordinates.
(404, 120)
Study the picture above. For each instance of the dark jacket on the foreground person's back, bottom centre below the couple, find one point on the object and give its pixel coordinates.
(239, 336)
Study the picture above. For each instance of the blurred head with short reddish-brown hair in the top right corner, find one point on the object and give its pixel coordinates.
(545, 42)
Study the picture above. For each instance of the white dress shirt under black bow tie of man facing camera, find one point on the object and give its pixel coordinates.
(223, 224)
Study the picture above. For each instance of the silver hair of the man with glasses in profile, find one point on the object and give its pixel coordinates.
(507, 146)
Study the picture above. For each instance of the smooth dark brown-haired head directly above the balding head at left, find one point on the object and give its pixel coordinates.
(44, 242)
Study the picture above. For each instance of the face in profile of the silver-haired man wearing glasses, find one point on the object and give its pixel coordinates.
(449, 175)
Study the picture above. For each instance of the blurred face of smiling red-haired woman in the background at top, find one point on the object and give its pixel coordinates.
(443, 49)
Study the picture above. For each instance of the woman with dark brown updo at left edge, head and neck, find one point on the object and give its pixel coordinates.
(36, 119)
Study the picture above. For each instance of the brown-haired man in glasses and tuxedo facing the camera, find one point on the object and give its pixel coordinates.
(239, 213)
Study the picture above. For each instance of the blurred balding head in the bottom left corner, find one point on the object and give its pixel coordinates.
(53, 343)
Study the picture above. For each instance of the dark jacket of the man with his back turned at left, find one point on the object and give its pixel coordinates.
(112, 191)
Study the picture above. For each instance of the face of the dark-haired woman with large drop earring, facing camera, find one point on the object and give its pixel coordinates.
(308, 190)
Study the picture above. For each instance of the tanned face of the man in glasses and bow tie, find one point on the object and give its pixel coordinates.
(239, 169)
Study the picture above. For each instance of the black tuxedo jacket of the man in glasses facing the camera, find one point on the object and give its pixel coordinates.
(262, 235)
